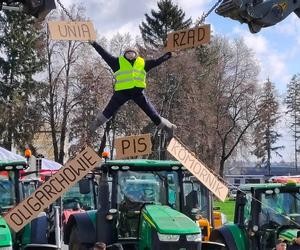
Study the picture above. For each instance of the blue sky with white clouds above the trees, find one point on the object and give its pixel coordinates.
(276, 48)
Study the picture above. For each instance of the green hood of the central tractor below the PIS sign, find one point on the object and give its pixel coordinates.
(169, 221)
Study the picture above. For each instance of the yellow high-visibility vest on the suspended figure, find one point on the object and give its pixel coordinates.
(128, 76)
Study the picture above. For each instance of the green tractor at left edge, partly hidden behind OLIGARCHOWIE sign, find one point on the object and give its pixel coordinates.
(34, 235)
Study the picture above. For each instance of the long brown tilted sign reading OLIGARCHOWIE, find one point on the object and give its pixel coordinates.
(51, 190)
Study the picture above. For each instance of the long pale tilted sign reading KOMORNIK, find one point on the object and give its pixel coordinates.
(198, 169)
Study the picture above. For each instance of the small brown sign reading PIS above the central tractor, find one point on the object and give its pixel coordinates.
(130, 146)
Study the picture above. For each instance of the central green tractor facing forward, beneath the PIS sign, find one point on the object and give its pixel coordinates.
(141, 205)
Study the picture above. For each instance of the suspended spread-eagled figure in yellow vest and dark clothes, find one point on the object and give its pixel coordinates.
(130, 74)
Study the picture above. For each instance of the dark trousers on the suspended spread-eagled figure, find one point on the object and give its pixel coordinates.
(135, 94)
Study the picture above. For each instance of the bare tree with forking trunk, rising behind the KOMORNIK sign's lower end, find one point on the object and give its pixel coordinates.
(232, 95)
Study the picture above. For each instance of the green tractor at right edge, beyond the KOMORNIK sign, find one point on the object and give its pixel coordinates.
(263, 214)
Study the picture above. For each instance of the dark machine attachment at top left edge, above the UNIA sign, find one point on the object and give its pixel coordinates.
(38, 8)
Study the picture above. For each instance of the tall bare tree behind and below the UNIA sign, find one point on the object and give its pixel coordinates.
(61, 97)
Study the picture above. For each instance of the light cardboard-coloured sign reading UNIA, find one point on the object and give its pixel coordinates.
(72, 31)
